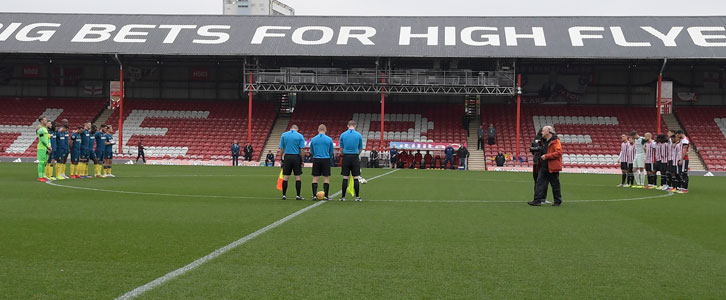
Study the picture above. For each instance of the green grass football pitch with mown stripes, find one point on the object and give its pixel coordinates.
(419, 234)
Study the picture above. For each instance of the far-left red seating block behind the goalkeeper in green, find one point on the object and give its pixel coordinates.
(20, 117)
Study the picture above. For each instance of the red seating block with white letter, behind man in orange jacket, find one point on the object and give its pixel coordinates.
(590, 134)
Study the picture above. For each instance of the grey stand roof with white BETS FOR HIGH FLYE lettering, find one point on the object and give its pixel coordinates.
(484, 37)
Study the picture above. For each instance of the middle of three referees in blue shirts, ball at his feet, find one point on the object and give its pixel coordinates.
(321, 147)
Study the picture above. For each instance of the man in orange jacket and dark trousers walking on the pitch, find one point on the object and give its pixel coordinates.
(549, 170)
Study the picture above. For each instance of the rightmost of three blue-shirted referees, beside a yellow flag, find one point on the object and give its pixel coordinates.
(352, 143)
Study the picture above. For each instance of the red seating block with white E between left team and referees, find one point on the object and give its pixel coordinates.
(202, 130)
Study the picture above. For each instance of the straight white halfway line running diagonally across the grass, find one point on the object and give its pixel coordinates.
(216, 253)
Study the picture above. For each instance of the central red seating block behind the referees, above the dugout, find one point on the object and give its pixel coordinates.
(420, 122)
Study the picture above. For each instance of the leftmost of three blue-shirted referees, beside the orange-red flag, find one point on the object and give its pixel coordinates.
(291, 143)
